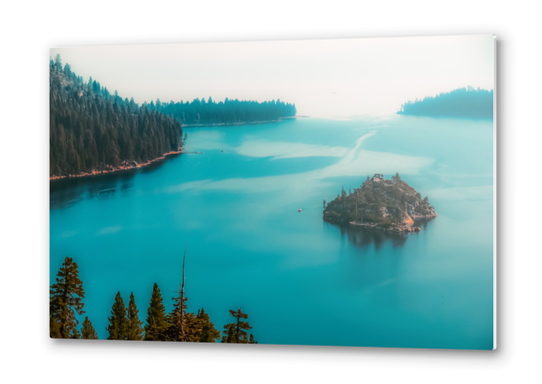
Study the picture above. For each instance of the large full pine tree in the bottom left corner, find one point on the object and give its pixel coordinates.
(65, 300)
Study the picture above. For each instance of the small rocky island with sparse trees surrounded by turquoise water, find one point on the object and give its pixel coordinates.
(389, 205)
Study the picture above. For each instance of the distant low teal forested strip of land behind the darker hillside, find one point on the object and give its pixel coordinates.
(201, 112)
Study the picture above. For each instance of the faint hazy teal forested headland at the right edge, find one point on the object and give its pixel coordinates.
(459, 103)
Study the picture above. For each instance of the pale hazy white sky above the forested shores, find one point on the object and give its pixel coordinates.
(324, 78)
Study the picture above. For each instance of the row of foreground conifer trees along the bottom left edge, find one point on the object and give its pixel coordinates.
(66, 302)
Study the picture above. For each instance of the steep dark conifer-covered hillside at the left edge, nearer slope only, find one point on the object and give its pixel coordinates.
(92, 129)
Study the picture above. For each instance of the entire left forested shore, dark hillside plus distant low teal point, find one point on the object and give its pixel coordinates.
(94, 131)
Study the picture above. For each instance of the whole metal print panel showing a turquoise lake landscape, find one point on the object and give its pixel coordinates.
(316, 192)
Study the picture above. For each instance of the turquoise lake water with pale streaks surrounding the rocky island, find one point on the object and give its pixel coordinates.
(300, 280)
